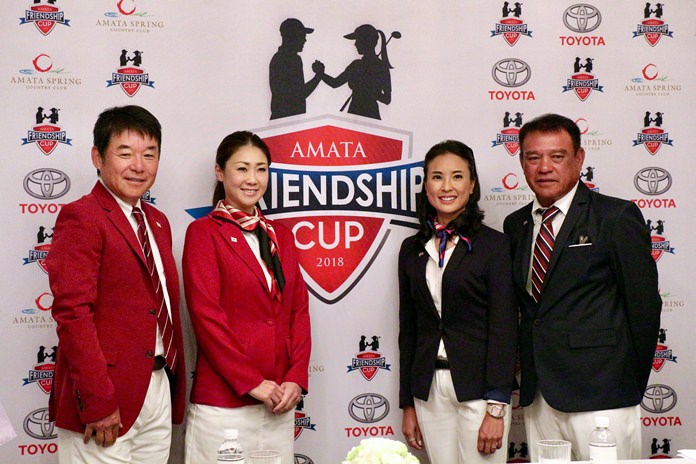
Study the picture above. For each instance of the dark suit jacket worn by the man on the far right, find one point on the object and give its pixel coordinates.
(590, 341)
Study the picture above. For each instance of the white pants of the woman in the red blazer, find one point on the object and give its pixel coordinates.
(258, 429)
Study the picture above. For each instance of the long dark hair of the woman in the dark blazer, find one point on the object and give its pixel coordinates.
(469, 221)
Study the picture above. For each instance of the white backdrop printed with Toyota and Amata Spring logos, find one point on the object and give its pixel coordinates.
(346, 166)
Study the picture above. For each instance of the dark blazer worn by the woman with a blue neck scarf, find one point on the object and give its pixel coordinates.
(478, 324)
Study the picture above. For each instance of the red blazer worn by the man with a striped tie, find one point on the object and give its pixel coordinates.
(102, 300)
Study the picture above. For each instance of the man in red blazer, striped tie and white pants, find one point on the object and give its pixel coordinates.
(120, 375)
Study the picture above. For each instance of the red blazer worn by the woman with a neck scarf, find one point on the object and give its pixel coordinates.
(243, 335)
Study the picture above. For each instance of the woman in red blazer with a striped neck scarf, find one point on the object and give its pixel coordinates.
(248, 307)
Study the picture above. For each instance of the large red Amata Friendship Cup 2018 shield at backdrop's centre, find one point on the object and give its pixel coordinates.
(340, 187)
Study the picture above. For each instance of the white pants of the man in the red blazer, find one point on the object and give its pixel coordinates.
(147, 441)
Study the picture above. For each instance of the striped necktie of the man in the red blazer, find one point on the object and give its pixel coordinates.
(163, 321)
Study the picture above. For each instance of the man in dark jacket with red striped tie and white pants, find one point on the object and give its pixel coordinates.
(589, 323)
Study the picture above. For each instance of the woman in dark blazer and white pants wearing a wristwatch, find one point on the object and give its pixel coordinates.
(457, 319)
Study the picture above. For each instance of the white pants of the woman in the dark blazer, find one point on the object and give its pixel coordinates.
(450, 428)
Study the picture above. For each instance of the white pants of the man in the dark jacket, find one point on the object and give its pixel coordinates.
(543, 422)
